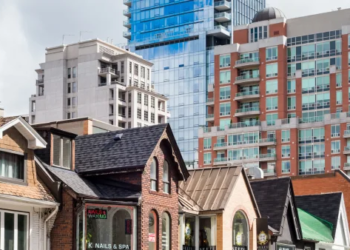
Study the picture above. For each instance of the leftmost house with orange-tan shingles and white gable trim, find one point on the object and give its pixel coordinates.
(27, 209)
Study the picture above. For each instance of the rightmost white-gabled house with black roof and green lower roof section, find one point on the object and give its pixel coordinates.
(324, 220)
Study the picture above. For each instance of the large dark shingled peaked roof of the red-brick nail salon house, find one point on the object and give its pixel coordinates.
(101, 152)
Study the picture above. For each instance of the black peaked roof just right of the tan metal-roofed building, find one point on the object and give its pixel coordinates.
(273, 197)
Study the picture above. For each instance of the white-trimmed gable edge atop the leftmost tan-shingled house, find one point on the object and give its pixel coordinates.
(35, 141)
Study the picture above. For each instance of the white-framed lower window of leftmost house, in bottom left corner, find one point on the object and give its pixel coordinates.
(15, 230)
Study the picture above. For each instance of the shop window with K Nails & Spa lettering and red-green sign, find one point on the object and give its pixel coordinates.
(103, 226)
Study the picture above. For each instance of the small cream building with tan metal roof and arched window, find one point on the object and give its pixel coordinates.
(218, 210)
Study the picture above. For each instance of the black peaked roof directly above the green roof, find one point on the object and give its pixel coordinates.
(324, 206)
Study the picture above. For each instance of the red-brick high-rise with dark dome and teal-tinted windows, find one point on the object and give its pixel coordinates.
(280, 101)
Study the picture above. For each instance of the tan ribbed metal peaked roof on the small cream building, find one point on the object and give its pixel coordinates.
(210, 188)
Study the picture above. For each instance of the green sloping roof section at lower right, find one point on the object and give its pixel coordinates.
(314, 228)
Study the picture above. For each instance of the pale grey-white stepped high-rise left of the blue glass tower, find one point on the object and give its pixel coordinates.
(98, 80)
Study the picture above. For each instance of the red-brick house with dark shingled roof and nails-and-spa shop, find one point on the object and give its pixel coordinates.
(120, 190)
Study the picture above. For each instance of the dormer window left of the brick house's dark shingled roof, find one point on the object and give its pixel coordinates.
(62, 151)
